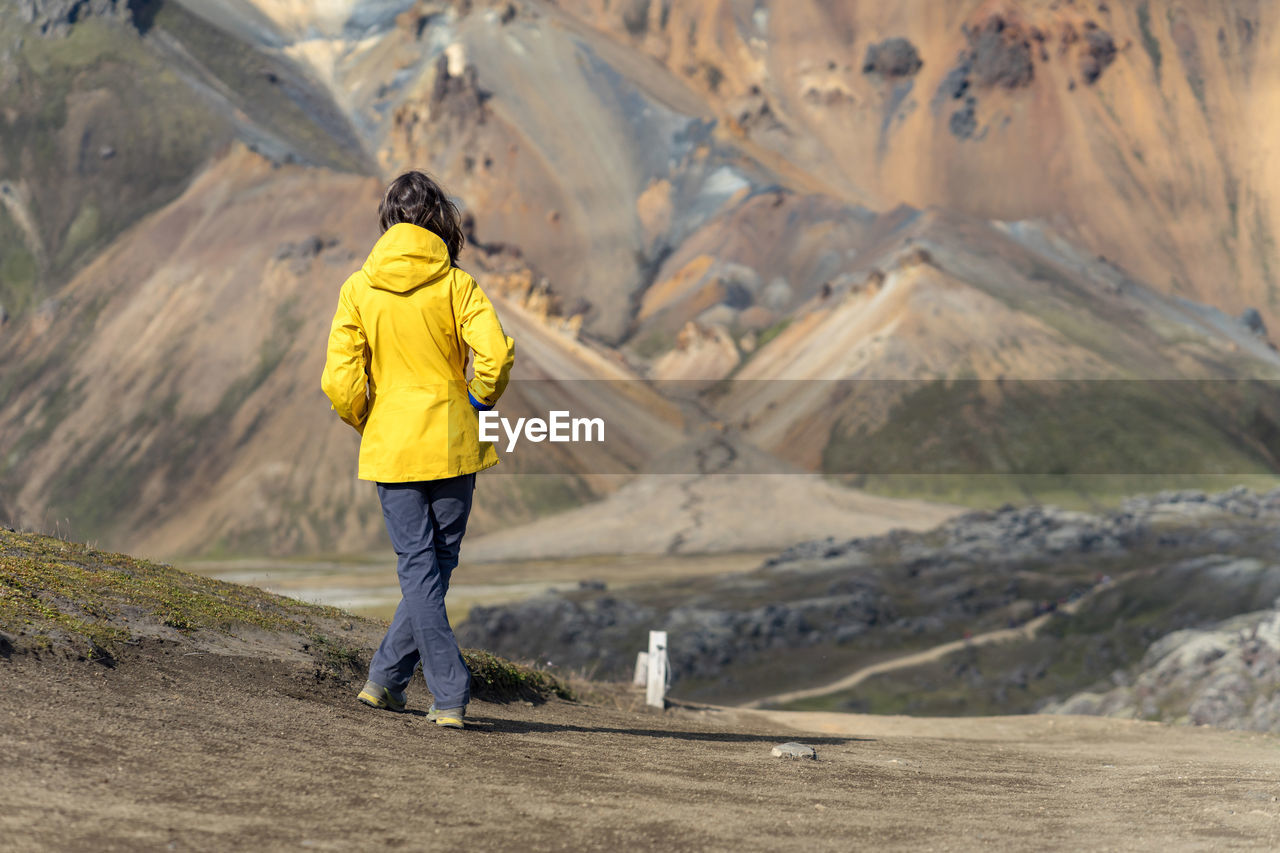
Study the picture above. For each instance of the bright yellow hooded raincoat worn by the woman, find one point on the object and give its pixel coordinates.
(397, 359)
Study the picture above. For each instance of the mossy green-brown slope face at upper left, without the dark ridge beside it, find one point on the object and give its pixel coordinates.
(159, 131)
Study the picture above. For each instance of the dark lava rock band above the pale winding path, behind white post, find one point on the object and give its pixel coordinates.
(877, 595)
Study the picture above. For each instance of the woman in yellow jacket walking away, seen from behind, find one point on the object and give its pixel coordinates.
(396, 372)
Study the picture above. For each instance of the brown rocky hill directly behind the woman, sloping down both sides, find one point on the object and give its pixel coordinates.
(159, 371)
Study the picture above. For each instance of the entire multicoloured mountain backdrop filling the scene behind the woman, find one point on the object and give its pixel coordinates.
(662, 197)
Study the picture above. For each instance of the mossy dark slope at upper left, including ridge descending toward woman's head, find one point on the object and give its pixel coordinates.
(135, 98)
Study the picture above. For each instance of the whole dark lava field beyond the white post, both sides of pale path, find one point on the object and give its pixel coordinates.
(1110, 586)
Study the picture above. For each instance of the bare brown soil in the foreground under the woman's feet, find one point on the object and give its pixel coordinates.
(181, 750)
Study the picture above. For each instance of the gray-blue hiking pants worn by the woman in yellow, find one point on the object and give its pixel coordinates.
(427, 522)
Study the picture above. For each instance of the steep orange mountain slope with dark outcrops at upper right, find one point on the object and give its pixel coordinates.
(1137, 129)
